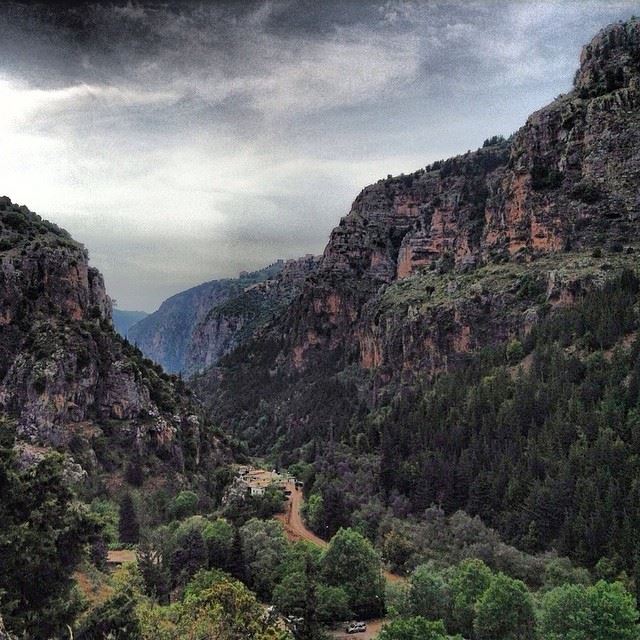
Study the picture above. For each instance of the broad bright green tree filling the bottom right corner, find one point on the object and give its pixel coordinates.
(604, 611)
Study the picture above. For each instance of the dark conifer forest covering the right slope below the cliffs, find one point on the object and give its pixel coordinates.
(538, 437)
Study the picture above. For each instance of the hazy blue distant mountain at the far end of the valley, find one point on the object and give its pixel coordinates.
(193, 329)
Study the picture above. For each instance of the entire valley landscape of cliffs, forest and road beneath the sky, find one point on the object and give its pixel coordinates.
(434, 426)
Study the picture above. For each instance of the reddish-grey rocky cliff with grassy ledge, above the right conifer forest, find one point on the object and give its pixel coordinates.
(464, 253)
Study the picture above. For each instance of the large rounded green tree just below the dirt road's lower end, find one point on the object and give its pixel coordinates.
(352, 563)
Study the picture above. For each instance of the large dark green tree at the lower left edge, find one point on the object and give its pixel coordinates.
(43, 534)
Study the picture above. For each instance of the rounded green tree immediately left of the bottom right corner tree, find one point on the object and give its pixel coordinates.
(505, 611)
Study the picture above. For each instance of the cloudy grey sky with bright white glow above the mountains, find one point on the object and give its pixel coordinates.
(186, 141)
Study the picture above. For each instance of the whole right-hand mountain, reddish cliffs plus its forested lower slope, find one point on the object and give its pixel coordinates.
(505, 270)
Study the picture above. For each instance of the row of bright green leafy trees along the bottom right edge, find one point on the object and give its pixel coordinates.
(469, 600)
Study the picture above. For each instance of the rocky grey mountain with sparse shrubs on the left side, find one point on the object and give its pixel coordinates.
(68, 381)
